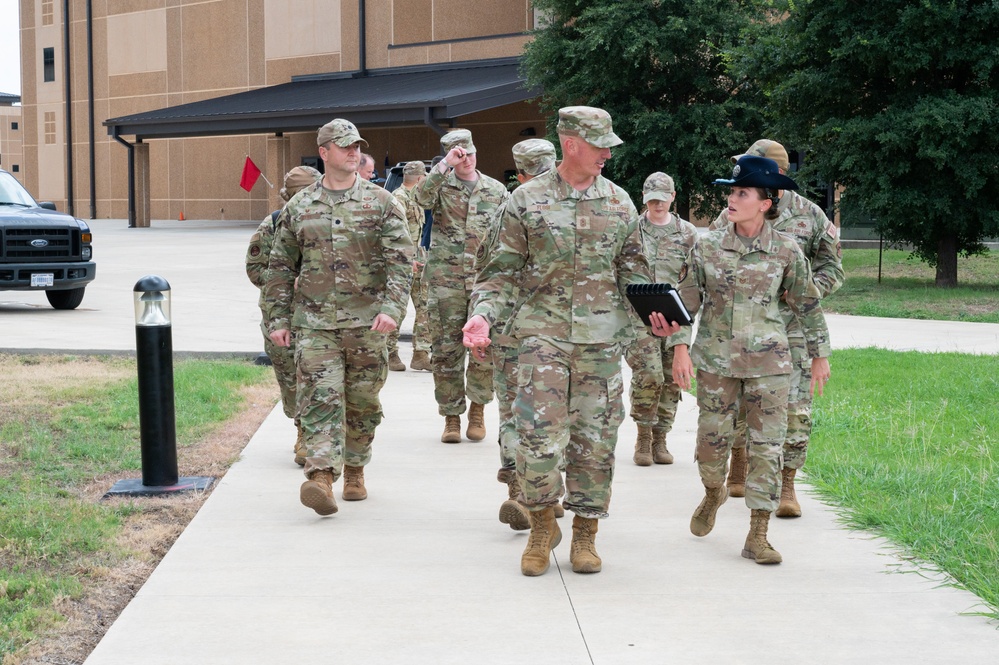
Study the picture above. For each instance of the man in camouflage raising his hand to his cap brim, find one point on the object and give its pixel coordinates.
(463, 202)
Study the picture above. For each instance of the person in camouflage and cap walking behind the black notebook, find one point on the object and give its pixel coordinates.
(666, 241)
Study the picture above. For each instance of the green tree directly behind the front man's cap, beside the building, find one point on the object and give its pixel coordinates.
(659, 68)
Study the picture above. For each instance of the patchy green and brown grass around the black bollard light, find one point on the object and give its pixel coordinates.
(52, 445)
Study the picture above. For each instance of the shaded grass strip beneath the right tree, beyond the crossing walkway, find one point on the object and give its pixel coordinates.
(907, 290)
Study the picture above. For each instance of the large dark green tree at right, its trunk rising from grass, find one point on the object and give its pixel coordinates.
(897, 101)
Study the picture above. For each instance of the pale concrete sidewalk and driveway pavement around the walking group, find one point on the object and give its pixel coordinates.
(422, 571)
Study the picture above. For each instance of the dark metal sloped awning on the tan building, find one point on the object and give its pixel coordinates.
(425, 94)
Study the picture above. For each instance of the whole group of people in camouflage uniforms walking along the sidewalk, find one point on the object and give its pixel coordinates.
(522, 294)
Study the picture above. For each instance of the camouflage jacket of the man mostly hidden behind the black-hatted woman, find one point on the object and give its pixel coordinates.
(818, 239)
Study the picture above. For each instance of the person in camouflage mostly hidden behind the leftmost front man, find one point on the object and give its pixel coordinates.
(257, 255)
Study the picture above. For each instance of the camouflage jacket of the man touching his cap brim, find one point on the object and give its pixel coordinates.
(461, 222)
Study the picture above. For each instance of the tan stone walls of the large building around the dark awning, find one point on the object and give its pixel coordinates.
(150, 54)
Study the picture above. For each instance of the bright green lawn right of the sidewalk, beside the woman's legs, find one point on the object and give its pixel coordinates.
(908, 445)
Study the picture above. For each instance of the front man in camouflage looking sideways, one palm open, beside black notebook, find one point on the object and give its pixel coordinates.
(568, 246)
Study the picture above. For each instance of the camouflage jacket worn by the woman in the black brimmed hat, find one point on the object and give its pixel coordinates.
(741, 333)
